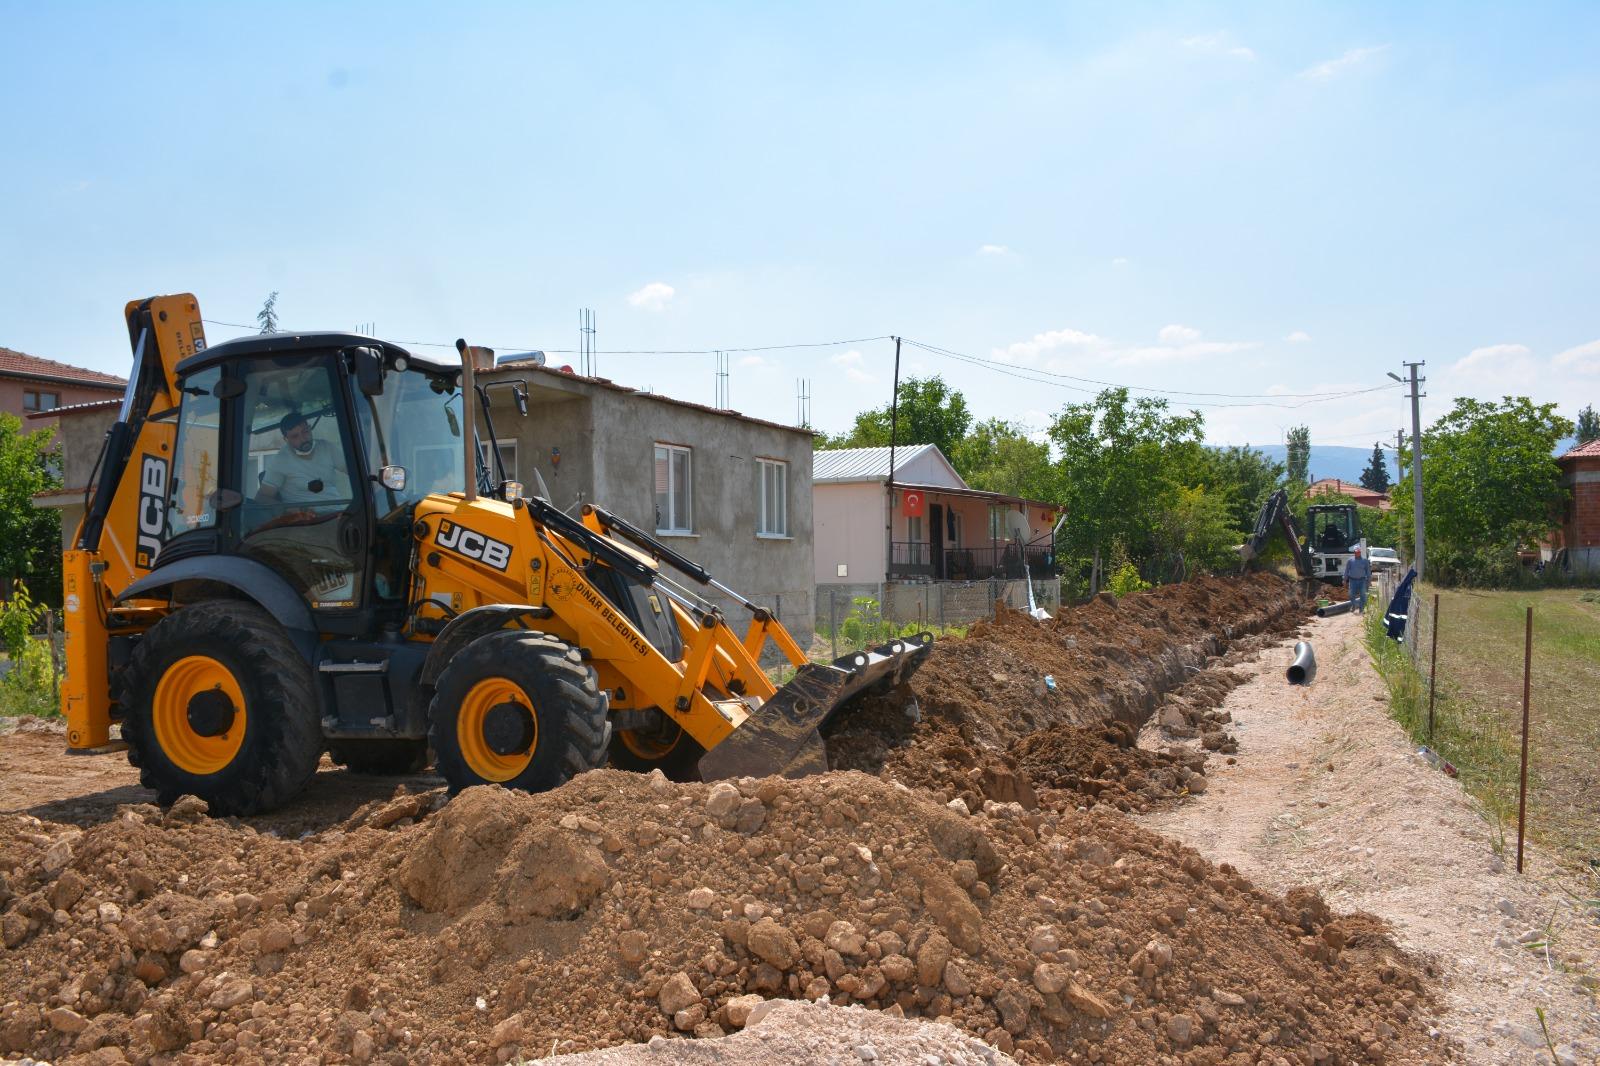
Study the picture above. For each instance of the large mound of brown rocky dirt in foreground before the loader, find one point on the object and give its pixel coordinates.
(623, 908)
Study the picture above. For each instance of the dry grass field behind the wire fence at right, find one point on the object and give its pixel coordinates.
(1479, 716)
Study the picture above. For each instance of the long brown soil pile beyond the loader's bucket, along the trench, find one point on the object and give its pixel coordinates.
(1022, 705)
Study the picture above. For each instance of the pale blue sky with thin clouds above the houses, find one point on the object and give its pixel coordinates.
(1246, 199)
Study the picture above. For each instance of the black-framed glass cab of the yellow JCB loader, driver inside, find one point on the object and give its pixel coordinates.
(306, 454)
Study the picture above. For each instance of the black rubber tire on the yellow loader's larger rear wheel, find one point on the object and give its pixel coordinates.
(282, 737)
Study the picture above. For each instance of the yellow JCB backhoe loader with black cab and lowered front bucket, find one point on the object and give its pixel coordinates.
(263, 575)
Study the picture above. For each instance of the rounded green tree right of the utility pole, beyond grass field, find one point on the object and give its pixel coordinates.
(1490, 486)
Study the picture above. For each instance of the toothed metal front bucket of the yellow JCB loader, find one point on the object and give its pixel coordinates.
(783, 737)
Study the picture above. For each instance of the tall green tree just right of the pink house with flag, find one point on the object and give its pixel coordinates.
(1121, 470)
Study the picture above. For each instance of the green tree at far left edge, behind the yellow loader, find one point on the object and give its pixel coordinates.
(30, 537)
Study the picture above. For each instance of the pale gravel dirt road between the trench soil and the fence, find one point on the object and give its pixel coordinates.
(1329, 793)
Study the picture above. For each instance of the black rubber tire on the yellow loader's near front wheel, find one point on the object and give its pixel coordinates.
(566, 697)
